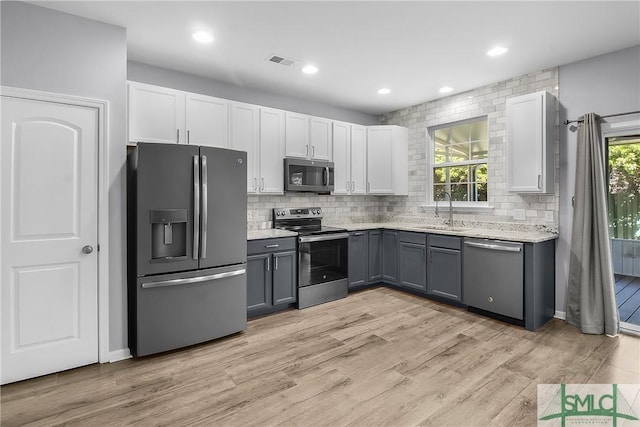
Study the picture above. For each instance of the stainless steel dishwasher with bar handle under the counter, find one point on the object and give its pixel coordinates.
(494, 276)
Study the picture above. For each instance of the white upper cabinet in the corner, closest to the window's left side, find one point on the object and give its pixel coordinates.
(387, 160)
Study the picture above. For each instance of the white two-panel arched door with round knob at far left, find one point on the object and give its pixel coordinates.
(48, 182)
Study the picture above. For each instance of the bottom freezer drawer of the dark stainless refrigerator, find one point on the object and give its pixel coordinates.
(177, 310)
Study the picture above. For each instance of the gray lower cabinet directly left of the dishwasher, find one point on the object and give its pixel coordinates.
(444, 267)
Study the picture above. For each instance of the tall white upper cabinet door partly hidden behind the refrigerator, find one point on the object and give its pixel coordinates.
(245, 136)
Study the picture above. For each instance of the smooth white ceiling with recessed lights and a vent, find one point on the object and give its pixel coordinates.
(413, 48)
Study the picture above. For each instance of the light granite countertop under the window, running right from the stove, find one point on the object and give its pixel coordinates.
(464, 231)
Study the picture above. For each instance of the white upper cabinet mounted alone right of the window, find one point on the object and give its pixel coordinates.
(530, 143)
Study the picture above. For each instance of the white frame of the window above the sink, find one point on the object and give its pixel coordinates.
(471, 206)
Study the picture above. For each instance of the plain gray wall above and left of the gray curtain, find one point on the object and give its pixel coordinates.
(607, 84)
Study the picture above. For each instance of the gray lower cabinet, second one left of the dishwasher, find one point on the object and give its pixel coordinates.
(412, 261)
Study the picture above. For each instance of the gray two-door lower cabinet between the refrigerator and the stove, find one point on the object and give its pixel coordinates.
(271, 274)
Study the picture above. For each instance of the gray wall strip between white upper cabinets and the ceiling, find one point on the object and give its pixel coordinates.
(145, 73)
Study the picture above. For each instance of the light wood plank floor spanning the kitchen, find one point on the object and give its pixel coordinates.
(378, 357)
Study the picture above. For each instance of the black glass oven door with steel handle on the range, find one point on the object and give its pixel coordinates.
(322, 258)
